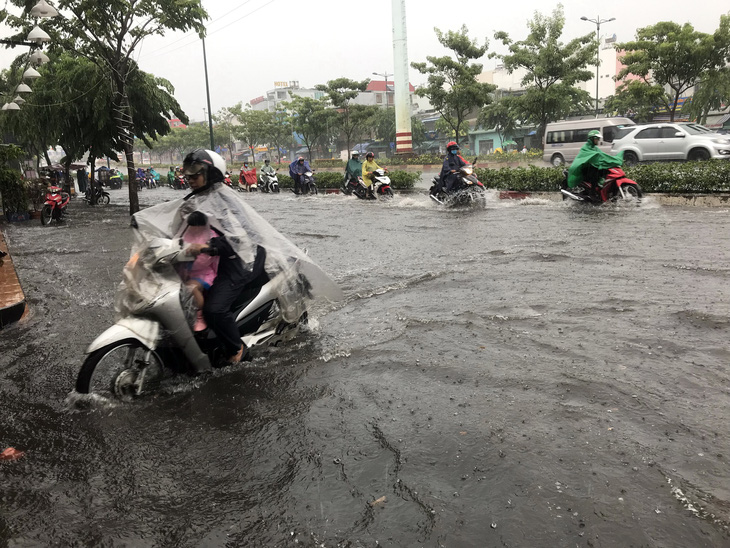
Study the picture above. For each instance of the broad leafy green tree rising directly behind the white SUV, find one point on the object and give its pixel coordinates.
(675, 56)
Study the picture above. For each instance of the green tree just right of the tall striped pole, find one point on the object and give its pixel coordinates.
(452, 87)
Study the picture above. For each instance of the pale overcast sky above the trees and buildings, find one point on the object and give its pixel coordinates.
(253, 43)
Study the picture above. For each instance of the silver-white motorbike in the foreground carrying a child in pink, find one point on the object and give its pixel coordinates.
(154, 339)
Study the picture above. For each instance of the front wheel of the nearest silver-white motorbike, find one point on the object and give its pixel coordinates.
(122, 370)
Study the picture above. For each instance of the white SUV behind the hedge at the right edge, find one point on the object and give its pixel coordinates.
(670, 141)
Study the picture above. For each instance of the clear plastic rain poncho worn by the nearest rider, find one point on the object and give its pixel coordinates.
(298, 281)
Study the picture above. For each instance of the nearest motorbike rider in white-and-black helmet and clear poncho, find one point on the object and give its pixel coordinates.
(246, 243)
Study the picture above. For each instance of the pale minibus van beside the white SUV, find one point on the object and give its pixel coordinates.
(563, 140)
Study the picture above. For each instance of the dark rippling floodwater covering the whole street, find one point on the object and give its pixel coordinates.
(532, 374)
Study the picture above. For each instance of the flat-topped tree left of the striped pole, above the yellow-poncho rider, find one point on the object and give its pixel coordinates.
(350, 118)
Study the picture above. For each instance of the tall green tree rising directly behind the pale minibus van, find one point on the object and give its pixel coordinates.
(551, 70)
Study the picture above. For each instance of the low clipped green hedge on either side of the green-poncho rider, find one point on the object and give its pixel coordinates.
(667, 177)
